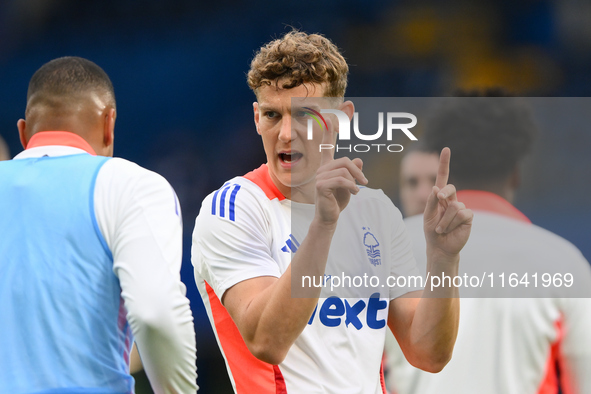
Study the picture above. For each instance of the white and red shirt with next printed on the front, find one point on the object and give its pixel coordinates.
(247, 229)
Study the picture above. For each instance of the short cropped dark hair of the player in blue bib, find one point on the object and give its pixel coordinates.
(69, 75)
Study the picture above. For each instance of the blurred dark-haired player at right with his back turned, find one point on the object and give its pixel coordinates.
(504, 345)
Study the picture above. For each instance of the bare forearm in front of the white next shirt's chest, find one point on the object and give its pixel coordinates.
(285, 310)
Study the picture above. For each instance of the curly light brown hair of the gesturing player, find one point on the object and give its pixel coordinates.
(298, 58)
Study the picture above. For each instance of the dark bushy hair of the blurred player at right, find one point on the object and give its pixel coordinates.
(488, 135)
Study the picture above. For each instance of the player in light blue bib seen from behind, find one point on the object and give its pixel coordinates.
(90, 251)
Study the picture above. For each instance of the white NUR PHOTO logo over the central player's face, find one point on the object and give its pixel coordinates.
(394, 123)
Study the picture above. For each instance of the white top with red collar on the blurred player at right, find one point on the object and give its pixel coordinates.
(508, 345)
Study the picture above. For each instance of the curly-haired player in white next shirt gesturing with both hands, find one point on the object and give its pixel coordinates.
(244, 246)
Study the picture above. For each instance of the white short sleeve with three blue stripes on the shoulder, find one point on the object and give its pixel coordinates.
(232, 239)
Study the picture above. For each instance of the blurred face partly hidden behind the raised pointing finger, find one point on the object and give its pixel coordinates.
(418, 170)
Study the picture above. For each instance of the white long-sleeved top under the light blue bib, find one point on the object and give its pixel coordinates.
(139, 217)
